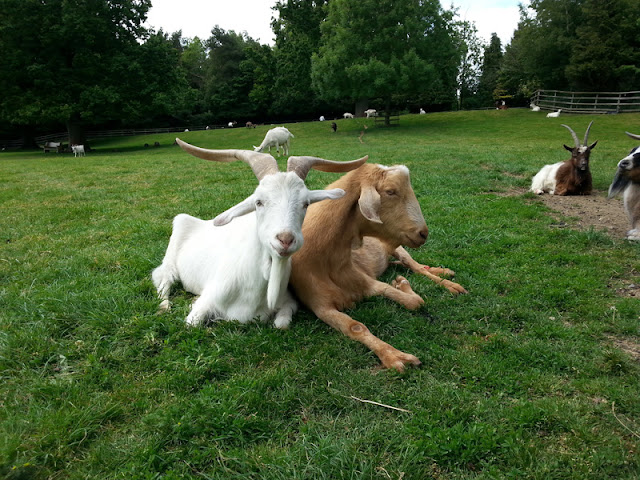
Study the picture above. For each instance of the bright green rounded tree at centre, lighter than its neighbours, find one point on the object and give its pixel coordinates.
(384, 49)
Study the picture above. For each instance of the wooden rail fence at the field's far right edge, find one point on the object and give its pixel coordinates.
(587, 102)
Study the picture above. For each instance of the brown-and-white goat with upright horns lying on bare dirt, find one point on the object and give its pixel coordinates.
(571, 177)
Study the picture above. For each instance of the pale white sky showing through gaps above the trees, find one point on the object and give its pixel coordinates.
(198, 17)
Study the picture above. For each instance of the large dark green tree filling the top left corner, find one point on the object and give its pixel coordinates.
(81, 63)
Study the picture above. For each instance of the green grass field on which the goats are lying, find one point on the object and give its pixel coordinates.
(522, 378)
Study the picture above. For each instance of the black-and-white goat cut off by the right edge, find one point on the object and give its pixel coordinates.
(627, 179)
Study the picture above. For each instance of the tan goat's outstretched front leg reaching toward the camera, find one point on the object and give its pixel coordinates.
(389, 356)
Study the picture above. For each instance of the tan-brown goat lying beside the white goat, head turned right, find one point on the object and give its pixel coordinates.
(348, 244)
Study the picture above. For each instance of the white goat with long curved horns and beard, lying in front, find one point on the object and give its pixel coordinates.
(240, 269)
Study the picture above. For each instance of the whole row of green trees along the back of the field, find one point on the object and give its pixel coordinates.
(83, 64)
